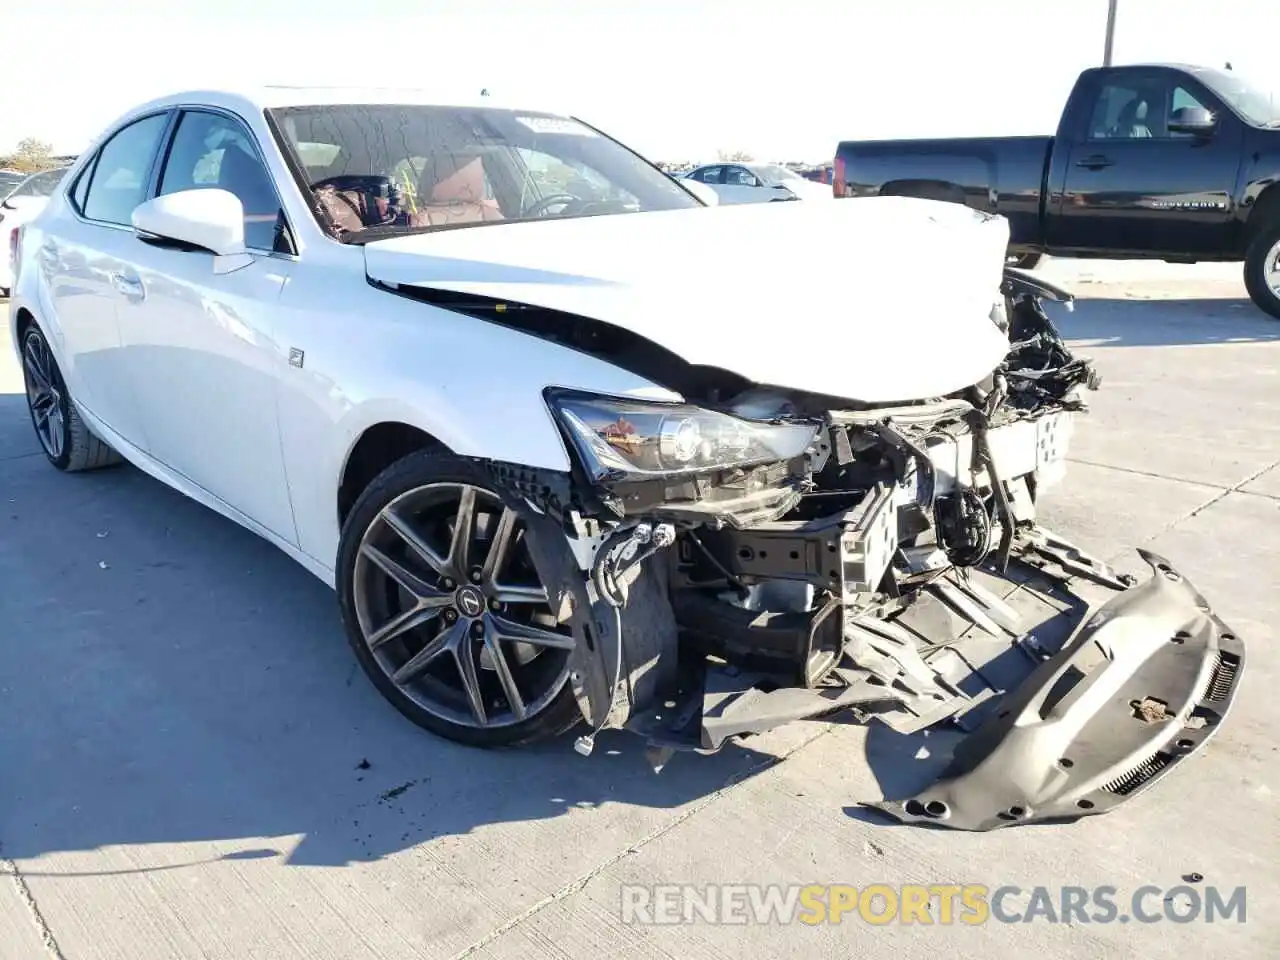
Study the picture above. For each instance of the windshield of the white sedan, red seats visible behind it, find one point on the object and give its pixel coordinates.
(378, 171)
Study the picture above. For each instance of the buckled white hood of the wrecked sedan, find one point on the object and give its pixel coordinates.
(875, 300)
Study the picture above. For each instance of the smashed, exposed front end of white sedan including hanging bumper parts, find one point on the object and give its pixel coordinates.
(771, 556)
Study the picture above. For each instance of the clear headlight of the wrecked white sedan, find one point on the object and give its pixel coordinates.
(619, 436)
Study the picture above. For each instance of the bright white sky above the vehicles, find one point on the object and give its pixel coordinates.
(679, 81)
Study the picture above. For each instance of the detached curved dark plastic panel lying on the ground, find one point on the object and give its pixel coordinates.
(1142, 685)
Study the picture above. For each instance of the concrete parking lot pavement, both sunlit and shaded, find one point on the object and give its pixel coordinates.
(191, 765)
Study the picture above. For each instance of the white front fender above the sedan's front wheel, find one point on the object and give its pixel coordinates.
(473, 386)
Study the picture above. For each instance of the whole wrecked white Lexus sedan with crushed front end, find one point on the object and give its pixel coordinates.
(569, 456)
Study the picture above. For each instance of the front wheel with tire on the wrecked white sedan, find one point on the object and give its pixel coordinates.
(446, 610)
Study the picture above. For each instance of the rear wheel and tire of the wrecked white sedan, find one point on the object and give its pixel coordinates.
(65, 437)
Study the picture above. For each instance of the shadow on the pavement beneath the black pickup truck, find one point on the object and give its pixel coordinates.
(1164, 323)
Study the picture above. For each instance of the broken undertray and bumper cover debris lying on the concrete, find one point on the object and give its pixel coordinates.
(1078, 688)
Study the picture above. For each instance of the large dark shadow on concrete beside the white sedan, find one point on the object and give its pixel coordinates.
(170, 678)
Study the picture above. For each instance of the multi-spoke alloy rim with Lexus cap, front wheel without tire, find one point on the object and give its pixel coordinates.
(452, 609)
